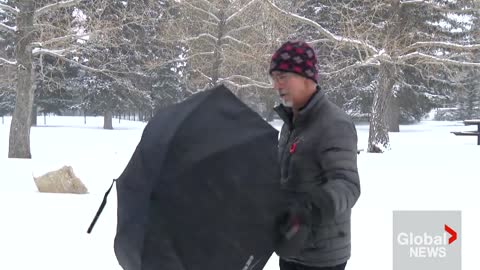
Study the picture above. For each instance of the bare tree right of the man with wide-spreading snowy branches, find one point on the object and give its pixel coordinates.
(387, 45)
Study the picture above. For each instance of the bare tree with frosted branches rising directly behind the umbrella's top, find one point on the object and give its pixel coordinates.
(225, 42)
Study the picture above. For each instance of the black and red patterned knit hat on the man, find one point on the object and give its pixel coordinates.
(296, 57)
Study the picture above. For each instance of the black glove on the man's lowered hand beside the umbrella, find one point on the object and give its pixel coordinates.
(293, 227)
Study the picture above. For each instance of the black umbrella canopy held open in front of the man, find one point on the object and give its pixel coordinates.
(201, 191)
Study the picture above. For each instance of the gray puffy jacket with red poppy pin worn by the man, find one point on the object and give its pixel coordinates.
(318, 157)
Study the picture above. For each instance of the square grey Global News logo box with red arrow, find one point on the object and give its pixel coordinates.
(427, 240)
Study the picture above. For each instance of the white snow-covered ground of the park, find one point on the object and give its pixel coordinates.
(428, 168)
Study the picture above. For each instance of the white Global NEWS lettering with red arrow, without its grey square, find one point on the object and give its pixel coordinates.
(426, 245)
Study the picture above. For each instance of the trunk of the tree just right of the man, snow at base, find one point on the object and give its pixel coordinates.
(378, 140)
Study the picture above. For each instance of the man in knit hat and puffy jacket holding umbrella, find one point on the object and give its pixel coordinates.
(318, 158)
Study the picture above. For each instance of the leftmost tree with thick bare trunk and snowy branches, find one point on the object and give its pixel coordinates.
(28, 15)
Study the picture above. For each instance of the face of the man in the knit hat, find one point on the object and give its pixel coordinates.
(291, 87)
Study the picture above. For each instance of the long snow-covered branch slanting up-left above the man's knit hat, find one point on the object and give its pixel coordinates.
(322, 30)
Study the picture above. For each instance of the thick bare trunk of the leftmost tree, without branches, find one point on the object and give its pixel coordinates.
(19, 142)
